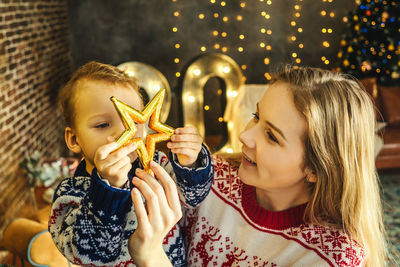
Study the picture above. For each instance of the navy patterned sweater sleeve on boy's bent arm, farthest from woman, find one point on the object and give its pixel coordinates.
(87, 220)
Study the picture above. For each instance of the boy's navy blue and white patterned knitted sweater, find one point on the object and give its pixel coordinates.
(91, 222)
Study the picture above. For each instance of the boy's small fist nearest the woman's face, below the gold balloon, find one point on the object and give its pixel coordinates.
(186, 144)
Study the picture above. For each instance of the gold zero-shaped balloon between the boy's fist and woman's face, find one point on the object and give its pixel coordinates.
(197, 74)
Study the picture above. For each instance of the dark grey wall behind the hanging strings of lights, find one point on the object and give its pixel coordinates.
(141, 30)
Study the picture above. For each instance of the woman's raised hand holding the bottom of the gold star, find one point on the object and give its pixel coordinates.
(155, 218)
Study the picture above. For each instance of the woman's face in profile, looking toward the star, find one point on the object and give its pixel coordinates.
(273, 144)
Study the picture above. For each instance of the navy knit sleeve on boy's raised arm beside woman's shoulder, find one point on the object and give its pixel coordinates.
(194, 183)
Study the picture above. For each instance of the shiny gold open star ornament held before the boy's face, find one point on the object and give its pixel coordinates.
(130, 115)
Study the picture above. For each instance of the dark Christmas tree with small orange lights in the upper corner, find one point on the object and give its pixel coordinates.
(371, 46)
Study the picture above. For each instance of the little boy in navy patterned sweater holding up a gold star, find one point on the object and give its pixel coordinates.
(92, 215)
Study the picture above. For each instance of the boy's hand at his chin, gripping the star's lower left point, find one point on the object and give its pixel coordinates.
(114, 165)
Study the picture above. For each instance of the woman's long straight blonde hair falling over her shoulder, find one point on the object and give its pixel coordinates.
(339, 148)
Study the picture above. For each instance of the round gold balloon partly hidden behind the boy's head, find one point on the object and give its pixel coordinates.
(151, 80)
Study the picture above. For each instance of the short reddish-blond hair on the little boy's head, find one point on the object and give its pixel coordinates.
(90, 71)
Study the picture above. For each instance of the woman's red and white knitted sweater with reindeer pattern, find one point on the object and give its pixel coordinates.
(229, 228)
